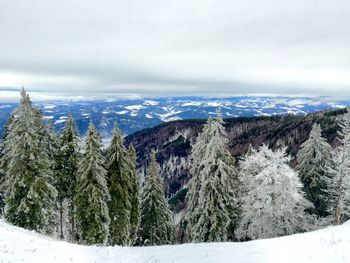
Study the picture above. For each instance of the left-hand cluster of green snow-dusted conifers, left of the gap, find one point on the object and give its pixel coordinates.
(50, 185)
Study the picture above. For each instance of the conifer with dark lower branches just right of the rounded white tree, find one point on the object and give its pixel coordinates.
(313, 158)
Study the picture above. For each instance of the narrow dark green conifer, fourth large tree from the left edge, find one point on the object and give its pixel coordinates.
(119, 185)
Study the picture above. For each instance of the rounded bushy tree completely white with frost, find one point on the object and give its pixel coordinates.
(272, 202)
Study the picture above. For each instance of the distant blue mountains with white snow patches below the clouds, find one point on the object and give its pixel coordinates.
(134, 115)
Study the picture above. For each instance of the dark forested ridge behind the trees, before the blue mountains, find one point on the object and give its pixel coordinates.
(172, 141)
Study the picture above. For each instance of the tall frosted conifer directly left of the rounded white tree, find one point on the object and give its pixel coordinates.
(212, 205)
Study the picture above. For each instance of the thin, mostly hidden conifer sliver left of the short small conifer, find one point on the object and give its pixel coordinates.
(134, 194)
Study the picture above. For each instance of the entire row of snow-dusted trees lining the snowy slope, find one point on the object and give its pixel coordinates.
(70, 187)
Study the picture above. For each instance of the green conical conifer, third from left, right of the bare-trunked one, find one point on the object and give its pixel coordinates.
(91, 210)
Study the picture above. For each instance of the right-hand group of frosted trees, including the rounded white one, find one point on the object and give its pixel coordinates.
(262, 196)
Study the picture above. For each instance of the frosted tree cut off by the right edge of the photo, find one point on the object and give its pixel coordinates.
(339, 175)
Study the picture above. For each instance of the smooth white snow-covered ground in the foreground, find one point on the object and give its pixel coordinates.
(328, 245)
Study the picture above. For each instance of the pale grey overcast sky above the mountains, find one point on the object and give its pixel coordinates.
(178, 47)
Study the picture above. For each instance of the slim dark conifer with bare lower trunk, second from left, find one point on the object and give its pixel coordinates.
(68, 160)
